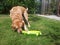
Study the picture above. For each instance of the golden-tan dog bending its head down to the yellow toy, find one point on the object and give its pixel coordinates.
(19, 17)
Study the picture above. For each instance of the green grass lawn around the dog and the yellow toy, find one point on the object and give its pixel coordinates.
(50, 32)
